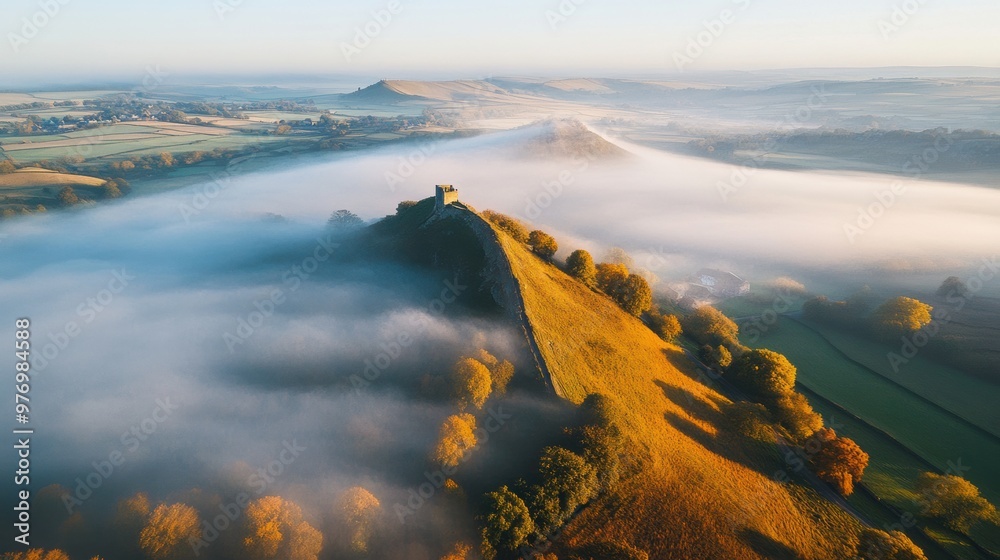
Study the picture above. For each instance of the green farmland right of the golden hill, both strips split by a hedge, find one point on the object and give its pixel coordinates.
(839, 384)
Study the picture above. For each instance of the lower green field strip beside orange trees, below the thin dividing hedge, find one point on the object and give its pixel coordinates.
(931, 434)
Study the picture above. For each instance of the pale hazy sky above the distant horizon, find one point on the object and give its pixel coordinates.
(452, 38)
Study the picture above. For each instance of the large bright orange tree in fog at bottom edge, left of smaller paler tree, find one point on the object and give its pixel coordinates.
(275, 530)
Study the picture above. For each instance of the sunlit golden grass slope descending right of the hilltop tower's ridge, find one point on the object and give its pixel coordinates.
(703, 492)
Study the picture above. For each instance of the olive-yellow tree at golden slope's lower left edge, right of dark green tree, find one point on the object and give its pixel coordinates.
(567, 483)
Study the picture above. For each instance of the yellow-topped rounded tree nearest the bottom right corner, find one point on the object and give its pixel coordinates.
(953, 500)
